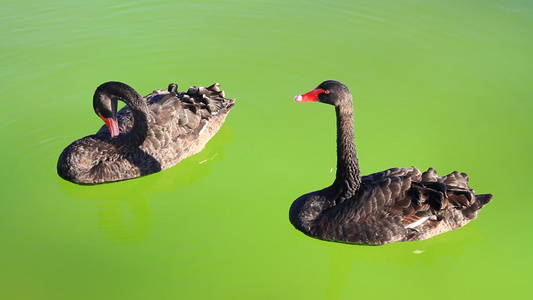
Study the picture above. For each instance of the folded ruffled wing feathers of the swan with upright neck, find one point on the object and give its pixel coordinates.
(417, 197)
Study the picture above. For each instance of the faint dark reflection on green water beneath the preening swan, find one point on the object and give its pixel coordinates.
(124, 213)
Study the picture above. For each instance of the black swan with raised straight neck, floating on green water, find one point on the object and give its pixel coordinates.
(399, 204)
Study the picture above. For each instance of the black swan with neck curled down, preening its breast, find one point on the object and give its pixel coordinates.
(148, 135)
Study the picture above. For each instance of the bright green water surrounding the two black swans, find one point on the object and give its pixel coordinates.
(436, 83)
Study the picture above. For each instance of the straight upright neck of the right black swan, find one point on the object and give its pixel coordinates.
(348, 178)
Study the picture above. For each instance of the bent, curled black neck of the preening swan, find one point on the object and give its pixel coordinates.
(139, 109)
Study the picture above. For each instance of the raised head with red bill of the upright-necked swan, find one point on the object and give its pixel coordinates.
(330, 92)
